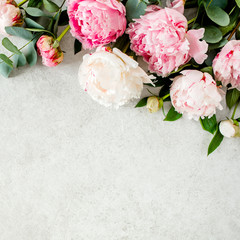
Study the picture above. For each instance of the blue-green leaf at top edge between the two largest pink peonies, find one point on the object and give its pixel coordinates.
(135, 9)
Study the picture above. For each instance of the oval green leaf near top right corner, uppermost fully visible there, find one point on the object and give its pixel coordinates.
(217, 15)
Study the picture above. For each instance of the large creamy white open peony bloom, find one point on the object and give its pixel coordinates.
(111, 77)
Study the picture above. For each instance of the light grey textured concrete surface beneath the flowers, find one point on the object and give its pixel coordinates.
(71, 169)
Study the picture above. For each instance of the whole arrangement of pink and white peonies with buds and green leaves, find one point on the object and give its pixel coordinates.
(195, 63)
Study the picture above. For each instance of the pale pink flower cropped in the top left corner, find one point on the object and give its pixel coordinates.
(10, 15)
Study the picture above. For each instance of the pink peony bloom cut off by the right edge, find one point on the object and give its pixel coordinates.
(226, 65)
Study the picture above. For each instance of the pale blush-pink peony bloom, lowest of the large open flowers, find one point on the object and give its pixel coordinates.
(195, 94)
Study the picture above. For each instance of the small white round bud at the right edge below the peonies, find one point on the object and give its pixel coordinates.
(229, 129)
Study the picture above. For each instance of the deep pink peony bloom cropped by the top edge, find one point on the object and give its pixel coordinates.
(96, 22)
